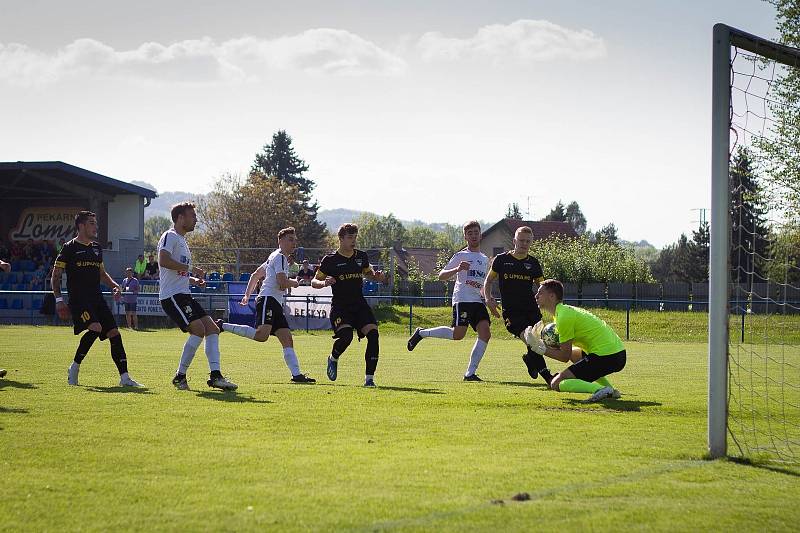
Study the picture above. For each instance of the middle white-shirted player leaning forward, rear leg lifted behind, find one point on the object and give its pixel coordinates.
(270, 318)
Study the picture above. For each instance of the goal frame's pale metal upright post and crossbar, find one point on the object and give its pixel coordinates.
(725, 38)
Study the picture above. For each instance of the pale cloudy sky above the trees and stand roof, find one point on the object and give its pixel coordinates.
(440, 111)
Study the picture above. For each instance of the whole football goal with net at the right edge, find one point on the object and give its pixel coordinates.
(754, 312)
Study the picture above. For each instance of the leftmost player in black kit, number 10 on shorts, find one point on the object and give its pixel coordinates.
(82, 259)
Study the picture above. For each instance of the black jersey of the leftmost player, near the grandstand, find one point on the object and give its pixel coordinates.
(83, 264)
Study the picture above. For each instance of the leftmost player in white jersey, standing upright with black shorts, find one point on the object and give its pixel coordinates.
(176, 274)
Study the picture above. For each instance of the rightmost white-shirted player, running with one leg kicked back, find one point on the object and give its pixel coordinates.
(469, 266)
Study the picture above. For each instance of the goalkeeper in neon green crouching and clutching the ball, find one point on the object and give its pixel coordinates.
(594, 349)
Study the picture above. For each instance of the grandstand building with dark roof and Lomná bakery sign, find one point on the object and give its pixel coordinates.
(39, 200)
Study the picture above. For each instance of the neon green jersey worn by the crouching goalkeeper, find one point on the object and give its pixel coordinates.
(586, 331)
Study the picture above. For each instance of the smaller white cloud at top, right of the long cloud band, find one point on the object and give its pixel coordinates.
(520, 41)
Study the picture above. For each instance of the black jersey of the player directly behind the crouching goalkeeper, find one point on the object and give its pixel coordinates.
(517, 278)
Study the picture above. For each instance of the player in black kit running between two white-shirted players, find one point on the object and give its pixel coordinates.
(345, 271)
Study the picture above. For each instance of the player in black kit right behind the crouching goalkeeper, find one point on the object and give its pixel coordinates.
(519, 274)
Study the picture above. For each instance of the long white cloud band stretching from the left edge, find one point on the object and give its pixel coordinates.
(316, 51)
